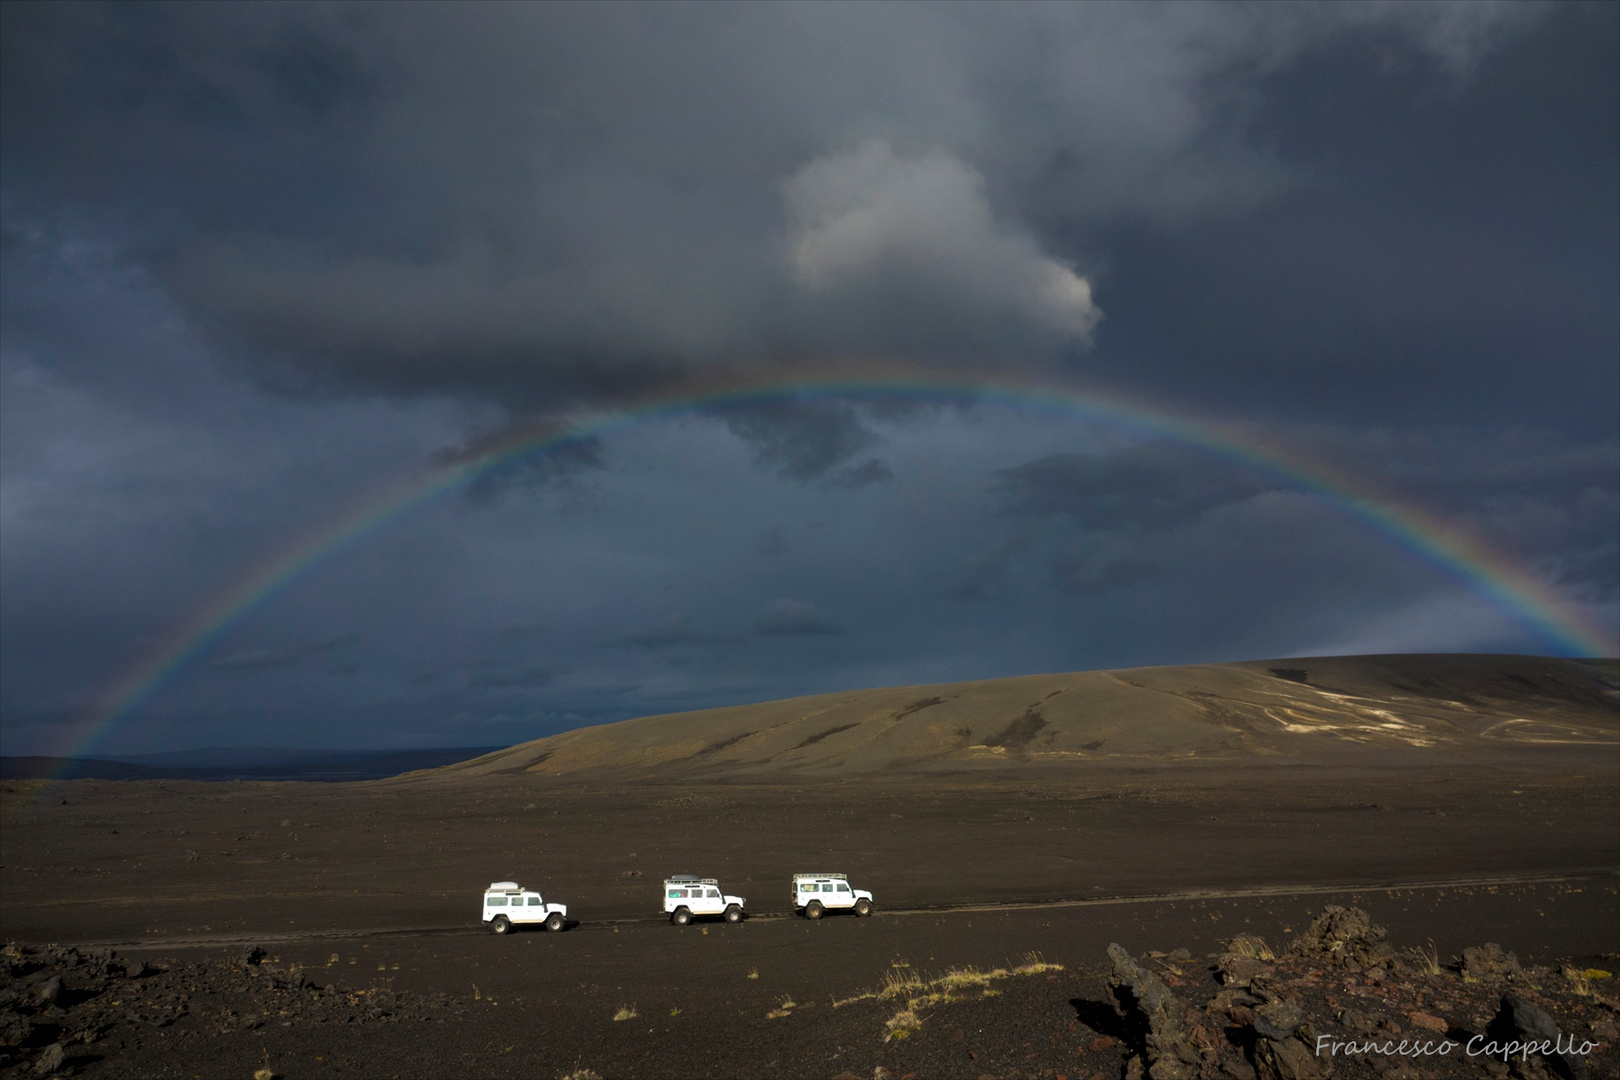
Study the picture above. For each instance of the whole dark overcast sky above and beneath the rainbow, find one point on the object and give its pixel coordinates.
(263, 260)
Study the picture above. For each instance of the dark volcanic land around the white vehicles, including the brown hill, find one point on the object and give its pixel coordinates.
(1457, 799)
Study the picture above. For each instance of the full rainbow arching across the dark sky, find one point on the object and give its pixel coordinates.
(1407, 525)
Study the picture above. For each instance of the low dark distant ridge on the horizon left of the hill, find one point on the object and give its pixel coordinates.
(236, 763)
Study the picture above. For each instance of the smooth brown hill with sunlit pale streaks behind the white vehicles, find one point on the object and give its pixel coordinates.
(1315, 710)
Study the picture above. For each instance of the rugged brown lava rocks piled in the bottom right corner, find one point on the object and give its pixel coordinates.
(1342, 1001)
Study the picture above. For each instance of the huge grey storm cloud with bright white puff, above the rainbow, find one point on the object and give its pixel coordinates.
(540, 205)
